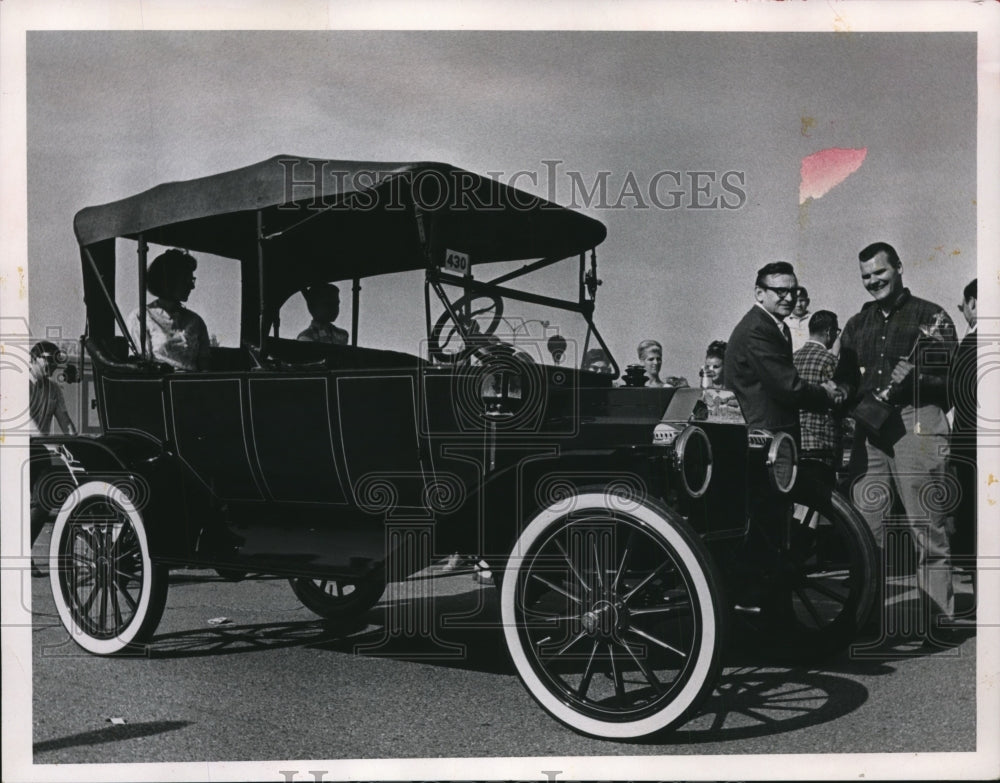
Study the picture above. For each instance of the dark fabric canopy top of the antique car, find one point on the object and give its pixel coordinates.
(311, 219)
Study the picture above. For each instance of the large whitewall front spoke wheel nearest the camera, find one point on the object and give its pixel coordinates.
(613, 616)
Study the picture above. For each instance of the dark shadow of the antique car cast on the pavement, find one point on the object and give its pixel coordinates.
(753, 697)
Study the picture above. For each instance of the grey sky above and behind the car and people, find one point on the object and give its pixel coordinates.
(110, 114)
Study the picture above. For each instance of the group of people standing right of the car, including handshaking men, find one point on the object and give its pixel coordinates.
(796, 371)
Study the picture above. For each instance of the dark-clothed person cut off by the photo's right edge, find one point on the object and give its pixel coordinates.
(963, 397)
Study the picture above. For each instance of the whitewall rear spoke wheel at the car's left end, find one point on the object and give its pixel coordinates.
(109, 594)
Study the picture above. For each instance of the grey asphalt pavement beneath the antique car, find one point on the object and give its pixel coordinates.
(242, 671)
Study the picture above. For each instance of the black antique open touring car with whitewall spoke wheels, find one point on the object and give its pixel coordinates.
(625, 527)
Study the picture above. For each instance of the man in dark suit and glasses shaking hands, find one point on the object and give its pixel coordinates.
(758, 365)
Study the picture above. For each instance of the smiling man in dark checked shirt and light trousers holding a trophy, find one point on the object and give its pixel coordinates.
(902, 345)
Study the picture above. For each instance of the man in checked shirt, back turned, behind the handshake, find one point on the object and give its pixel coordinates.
(822, 434)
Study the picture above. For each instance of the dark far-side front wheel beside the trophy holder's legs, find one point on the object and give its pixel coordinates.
(825, 583)
